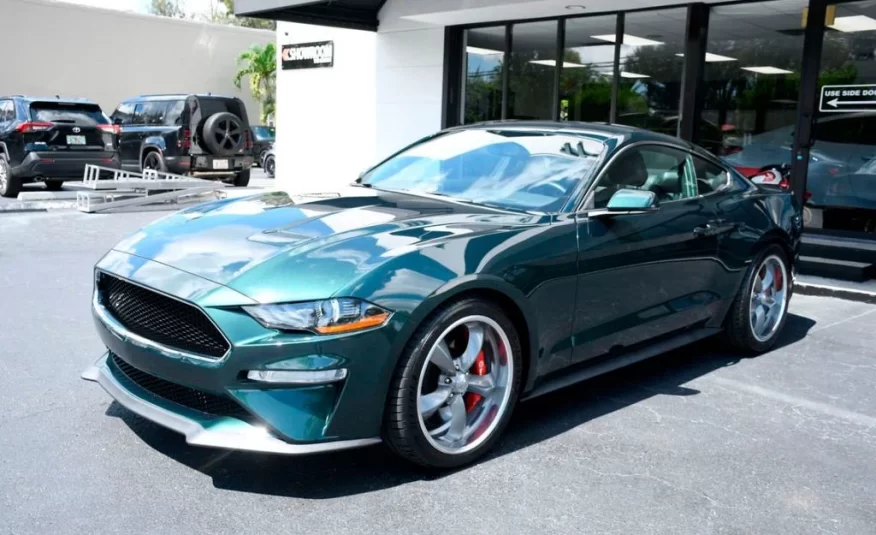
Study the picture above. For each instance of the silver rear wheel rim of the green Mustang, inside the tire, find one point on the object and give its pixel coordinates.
(769, 302)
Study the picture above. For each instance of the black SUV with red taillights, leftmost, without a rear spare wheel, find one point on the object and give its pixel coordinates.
(51, 140)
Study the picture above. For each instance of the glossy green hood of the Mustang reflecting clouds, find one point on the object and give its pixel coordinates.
(274, 248)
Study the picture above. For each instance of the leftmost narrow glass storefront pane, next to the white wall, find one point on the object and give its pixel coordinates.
(484, 49)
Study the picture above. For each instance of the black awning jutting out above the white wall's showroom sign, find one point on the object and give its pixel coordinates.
(353, 14)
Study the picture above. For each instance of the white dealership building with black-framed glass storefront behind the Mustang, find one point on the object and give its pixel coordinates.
(757, 83)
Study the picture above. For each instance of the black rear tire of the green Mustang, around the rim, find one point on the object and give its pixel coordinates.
(739, 331)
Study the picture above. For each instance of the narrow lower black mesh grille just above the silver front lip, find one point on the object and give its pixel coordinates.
(198, 400)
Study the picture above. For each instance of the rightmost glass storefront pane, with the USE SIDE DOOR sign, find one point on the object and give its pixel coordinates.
(841, 182)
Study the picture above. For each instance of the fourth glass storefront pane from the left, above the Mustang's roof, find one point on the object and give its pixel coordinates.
(651, 67)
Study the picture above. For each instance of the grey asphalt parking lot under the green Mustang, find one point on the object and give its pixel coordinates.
(697, 441)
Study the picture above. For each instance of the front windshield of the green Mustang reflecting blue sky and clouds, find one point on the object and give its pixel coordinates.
(515, 169)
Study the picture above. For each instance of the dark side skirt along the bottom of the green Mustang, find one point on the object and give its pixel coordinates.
(588, 371)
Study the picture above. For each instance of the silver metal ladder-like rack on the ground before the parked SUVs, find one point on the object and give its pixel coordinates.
(127, 188)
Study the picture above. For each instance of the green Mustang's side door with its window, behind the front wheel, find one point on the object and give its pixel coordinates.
(644, 275)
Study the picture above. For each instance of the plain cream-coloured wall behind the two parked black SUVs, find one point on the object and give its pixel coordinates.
(52, 48)
